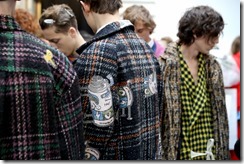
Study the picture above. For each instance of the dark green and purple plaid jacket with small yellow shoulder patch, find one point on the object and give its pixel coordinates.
(40, 107)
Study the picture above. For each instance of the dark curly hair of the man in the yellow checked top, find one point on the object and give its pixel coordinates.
(200, 21)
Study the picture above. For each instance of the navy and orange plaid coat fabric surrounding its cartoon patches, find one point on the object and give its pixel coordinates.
(116, 53)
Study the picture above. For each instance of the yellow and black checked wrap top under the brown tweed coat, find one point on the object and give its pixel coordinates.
(196, 115)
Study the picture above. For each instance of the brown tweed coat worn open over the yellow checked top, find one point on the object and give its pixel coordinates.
(171, 126)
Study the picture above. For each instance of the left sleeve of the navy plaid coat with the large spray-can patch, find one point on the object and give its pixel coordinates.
(100, 61)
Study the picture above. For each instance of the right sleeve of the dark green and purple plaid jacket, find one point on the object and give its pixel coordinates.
(68, 109)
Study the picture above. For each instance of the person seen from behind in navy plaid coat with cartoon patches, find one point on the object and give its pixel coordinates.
(121, 86)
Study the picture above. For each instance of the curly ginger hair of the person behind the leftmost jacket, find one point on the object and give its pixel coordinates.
(28, 22)
